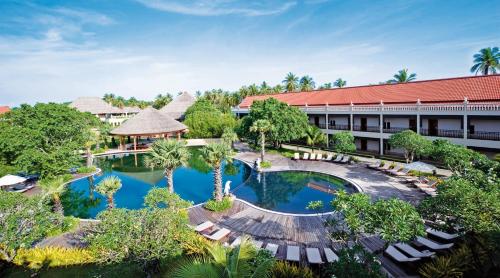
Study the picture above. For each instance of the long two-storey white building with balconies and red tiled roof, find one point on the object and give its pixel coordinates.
(463, 110)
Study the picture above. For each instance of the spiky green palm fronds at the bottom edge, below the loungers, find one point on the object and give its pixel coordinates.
(226, 262)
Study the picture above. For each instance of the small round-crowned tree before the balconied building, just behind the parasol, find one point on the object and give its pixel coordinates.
(412, 143)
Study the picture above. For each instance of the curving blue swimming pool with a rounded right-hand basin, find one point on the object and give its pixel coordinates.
(288, 191)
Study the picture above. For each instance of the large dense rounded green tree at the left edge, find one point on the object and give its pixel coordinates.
(44, 138)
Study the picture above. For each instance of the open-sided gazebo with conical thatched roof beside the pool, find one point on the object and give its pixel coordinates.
(149, 123)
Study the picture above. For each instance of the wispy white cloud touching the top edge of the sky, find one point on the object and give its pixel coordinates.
(220, 7)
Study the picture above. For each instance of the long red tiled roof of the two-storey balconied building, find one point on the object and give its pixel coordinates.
(474, 88)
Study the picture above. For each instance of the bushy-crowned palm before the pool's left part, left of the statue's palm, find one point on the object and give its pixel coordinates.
(168, 154)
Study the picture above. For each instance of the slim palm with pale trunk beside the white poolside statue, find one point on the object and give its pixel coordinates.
(214, 154)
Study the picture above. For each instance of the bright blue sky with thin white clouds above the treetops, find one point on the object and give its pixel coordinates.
(59, 50)
